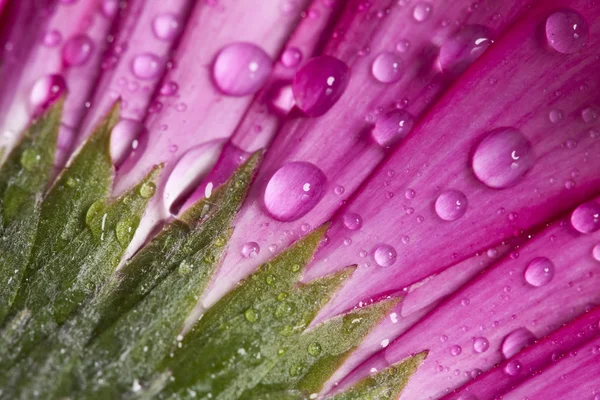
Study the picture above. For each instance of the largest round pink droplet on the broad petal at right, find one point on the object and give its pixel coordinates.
(502, 158)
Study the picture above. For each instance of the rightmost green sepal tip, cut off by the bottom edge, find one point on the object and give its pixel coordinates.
(386, 384)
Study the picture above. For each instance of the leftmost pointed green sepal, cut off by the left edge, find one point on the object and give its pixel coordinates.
(23, 180)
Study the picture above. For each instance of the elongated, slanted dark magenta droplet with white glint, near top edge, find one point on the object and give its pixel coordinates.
(462, 49)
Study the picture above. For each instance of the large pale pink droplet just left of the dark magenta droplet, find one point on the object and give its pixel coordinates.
(241, 69)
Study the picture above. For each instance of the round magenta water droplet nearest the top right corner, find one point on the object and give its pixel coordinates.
(567, 31)
